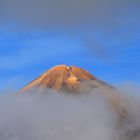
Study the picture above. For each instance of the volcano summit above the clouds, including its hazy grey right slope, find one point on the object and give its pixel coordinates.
(66, 78)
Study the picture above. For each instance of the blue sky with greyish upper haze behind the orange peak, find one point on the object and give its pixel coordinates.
(107, 47)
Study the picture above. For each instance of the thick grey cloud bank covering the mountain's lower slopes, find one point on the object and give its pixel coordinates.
(53, 116)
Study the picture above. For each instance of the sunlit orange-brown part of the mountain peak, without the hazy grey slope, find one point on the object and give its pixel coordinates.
(61, 76)
